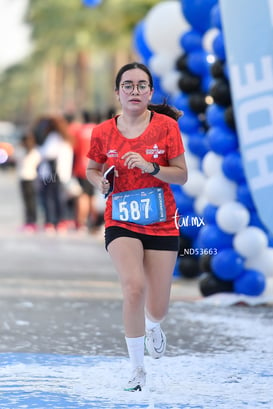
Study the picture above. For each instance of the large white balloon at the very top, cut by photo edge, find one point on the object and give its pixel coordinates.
(164, 25)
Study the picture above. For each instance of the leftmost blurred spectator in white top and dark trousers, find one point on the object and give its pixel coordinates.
(27, 159)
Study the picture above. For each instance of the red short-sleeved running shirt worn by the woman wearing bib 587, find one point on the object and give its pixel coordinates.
(160, 142)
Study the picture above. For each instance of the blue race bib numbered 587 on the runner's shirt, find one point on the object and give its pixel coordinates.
(140, 206)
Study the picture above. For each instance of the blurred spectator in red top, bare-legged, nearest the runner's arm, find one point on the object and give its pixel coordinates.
(86, 212)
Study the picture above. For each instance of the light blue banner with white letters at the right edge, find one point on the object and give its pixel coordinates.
(248, 33)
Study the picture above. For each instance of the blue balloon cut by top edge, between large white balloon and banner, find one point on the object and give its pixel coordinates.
(197, 13)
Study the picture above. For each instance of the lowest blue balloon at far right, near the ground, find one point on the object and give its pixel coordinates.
(250, 282)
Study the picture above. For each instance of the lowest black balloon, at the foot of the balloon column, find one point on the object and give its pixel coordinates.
(209, 285)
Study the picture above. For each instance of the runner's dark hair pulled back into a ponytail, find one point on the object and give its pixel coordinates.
(163, 108)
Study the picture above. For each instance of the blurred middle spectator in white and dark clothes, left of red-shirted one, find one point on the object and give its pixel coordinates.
(55, 170)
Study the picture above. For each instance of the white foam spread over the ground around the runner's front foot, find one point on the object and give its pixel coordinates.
(239, 375)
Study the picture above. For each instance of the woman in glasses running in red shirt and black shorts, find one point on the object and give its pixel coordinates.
(144, 144)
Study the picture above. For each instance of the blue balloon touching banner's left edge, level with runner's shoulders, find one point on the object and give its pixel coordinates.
(222, 140)
